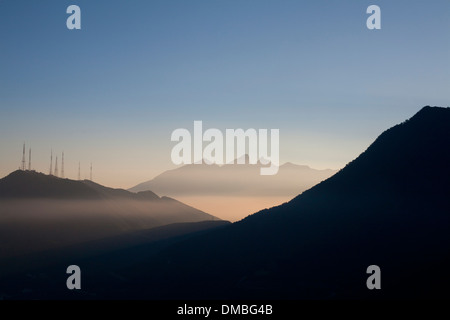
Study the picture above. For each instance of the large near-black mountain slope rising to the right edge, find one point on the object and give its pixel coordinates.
(389, 207)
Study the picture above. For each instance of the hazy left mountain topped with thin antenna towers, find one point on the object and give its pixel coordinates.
(40, 212)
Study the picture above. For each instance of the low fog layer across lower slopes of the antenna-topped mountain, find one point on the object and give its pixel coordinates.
(32, 225)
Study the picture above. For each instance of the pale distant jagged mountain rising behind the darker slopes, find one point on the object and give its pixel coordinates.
(234, 180)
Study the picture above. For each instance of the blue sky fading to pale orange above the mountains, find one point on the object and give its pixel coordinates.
(113, 92)
